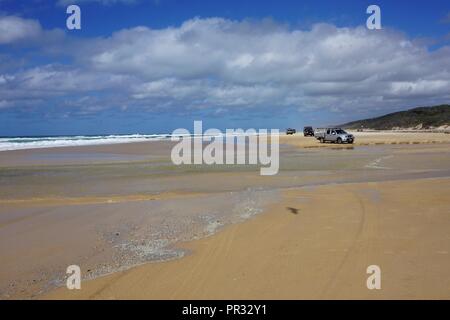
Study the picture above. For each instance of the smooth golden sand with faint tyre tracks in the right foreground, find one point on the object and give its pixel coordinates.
(315, 243)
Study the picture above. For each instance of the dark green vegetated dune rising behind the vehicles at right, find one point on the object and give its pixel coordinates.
(422, 117)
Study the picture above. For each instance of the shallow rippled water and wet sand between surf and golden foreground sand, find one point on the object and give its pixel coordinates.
(109, 210)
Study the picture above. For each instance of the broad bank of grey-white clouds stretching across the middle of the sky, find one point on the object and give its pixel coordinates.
(219, 64)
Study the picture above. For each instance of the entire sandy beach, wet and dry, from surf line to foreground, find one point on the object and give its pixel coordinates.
(140, 227)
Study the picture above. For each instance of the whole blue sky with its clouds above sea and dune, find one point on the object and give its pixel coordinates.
(153, 66)
